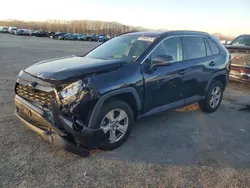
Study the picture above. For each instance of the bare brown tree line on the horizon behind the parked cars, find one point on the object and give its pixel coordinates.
(74, 26)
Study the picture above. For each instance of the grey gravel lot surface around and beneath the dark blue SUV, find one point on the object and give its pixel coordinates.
(185, 148)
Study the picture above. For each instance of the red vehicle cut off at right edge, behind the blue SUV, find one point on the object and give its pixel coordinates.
(239, 49)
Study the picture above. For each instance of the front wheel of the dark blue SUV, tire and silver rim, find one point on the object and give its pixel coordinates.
(116, 119)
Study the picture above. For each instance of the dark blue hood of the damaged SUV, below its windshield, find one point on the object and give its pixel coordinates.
(71, 67)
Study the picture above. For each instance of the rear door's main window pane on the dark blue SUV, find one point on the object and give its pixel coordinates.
(194, 47)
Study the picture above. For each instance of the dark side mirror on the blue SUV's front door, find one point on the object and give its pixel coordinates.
(160, 60)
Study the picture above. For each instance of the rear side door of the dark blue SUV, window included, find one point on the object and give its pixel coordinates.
(197, 67)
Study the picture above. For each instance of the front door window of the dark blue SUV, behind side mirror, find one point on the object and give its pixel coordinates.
(171, 47)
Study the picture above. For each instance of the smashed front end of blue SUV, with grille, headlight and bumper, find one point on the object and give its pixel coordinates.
(59, 113)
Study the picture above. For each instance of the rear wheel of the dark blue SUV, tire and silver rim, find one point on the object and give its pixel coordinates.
(213, 98)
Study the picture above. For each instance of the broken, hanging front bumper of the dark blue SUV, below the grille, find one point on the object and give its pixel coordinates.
(60, 130)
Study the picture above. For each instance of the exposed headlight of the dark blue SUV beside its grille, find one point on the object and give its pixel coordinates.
(70, 92)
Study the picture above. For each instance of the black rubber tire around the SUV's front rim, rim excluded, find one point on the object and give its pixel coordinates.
(109, 106)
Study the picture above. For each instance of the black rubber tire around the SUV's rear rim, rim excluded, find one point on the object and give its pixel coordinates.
(205, 105)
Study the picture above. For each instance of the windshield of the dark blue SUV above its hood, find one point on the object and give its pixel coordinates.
(123, 47)
